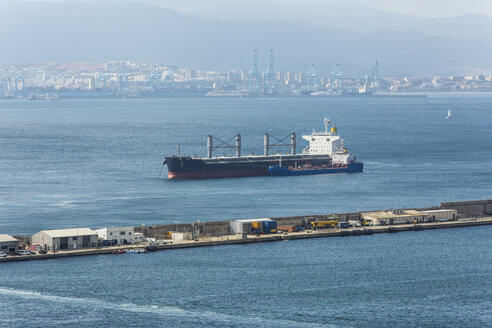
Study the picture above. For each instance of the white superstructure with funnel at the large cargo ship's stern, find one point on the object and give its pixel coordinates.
(328, 143)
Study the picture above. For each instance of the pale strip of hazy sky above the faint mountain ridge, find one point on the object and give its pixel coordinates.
(430, 8)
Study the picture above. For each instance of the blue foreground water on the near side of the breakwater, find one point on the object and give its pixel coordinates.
(435, 278)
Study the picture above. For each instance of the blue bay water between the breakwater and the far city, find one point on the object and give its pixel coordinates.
(96, 162)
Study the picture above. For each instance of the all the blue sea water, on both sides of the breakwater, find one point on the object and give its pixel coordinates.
(95, 163)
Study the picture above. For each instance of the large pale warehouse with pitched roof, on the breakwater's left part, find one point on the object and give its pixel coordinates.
(66, 238)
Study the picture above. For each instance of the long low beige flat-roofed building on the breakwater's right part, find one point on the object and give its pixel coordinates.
(393, 217)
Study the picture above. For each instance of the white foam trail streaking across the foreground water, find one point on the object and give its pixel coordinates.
(160, 310)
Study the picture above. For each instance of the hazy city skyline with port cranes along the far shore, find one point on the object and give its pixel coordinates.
(126, 78)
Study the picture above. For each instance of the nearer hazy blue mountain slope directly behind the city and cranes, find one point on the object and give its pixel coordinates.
(101, 31)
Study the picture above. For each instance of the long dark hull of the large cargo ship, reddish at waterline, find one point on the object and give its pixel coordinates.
(229, 167)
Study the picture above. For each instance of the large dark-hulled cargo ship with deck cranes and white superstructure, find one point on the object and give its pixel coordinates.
(325, 149)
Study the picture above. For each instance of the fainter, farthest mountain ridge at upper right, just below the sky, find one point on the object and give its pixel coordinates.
(347, 16)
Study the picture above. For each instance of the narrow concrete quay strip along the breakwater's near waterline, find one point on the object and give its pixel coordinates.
(234, 239)
